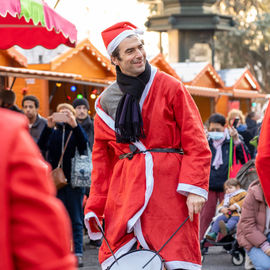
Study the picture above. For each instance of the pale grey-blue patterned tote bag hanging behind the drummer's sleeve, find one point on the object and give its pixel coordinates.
(81, 169)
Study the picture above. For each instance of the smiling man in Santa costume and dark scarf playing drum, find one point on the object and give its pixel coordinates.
(151, 159)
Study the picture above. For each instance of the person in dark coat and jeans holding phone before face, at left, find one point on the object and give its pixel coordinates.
(53, 137)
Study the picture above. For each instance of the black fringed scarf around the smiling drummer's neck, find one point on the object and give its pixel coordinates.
(128, 119)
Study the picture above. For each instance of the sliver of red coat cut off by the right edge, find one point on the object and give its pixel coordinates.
(263, 156)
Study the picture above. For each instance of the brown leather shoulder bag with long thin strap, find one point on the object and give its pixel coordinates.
(57, 174)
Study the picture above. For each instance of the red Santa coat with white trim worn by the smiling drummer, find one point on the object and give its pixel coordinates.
(145, 198)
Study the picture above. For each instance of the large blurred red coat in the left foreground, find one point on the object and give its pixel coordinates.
(35, 232)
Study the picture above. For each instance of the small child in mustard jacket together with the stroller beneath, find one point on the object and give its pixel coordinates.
(225, 222)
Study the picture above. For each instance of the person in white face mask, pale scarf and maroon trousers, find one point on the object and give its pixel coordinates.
(219, 142)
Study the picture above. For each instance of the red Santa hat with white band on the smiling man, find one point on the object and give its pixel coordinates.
(115, 34)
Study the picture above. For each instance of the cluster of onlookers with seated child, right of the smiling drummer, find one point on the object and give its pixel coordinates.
(228, 209)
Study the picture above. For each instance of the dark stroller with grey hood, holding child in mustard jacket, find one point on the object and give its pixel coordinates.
(246, 175)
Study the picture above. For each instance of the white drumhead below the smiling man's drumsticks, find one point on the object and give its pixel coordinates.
(136, 259)
